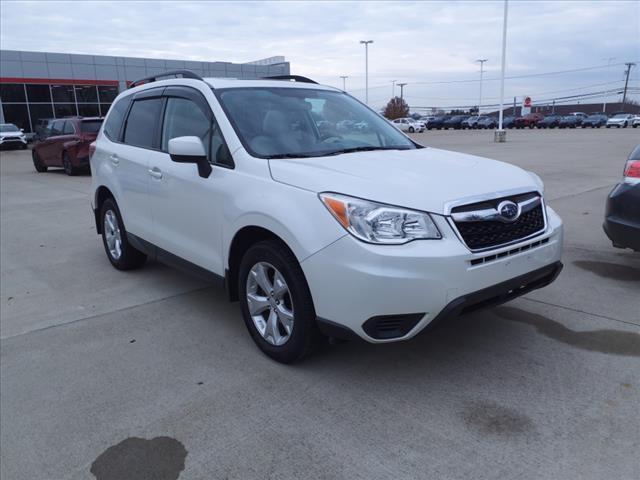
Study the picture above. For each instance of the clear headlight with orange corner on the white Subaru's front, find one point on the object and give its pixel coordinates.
(378, 223)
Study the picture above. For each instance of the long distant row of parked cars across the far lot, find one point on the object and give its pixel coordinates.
(532, 120)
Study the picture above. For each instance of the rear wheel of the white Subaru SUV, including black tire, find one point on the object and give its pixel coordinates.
(129, 257)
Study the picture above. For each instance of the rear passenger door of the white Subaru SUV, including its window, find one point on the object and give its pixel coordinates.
(130, 160)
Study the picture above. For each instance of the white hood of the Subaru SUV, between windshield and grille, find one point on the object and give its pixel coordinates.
(424, 179)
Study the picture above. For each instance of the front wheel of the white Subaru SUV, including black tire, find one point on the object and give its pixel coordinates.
(271, 256)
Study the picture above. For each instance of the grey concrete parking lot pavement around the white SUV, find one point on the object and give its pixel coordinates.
(107, 372)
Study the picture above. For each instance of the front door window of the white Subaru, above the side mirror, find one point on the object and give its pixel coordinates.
(182, 118)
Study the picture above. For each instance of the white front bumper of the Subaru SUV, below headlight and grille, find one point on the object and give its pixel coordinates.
(408, 286)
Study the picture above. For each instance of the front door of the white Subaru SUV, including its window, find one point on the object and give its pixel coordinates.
(186, 208)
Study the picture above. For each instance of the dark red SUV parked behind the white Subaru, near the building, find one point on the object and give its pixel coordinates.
(65, 143)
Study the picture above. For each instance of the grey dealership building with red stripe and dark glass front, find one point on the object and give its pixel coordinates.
(35, 85)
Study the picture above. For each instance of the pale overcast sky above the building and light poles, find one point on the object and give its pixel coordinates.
(420, 43)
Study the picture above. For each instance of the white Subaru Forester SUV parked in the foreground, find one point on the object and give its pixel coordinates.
(359, 234)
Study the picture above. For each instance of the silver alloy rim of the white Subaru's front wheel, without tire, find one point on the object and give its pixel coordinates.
(270, 303)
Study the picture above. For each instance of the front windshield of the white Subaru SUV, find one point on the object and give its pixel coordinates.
(301, 122)
